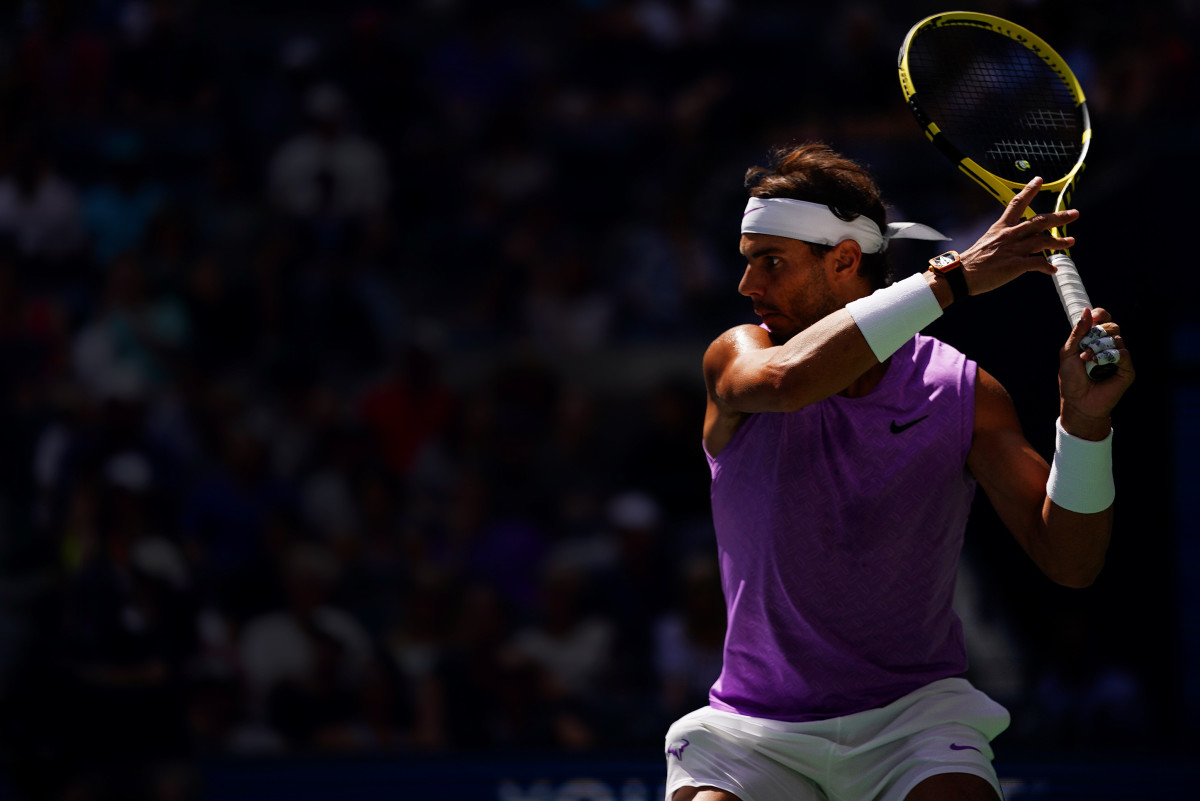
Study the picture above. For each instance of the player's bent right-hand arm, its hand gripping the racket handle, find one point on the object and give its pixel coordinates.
(1061, 514)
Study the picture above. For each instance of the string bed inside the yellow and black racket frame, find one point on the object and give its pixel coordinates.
(998, 103)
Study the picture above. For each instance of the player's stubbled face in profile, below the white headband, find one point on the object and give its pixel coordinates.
(788, 282)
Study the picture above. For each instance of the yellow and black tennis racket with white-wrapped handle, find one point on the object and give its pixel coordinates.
(1004, 106)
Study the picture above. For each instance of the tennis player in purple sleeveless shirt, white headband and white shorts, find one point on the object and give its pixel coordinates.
(845, 449)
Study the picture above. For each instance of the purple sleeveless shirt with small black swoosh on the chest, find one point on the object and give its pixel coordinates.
(839, 529)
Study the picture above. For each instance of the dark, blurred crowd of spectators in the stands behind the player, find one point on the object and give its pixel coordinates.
(341, 402)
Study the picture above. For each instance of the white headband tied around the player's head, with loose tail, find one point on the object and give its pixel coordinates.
(813, 222)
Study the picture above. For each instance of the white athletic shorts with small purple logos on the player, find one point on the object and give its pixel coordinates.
(880, 755)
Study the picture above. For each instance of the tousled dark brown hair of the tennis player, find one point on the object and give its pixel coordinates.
(818, 174)
